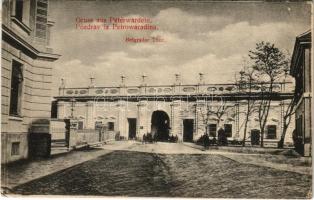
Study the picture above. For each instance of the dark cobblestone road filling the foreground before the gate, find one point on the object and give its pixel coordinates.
(134, 173)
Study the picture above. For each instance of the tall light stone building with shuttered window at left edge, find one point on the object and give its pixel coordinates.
(26, 73)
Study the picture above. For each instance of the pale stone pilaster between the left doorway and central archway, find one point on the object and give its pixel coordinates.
(142, 117)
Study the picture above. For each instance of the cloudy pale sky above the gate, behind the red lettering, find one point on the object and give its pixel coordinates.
(213, 38)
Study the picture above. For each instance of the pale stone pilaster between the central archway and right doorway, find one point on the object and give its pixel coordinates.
(176, 120)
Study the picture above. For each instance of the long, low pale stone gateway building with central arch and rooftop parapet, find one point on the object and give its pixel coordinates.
(185, 111)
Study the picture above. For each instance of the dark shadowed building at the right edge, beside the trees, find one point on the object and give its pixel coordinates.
(301, 71)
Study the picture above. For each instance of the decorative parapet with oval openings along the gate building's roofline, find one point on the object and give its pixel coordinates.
(165, 90)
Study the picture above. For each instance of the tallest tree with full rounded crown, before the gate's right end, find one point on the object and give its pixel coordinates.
(270, 64)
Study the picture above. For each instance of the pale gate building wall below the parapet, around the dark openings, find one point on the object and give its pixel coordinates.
(118, 113)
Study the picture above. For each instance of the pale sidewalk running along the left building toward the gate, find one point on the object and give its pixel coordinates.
(18, 173)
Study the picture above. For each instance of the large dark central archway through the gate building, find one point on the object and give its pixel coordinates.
(160, 125)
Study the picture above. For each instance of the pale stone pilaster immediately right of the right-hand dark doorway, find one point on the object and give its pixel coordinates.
(200, 116)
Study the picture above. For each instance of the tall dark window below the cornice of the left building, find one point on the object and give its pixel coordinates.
(16, 88)
